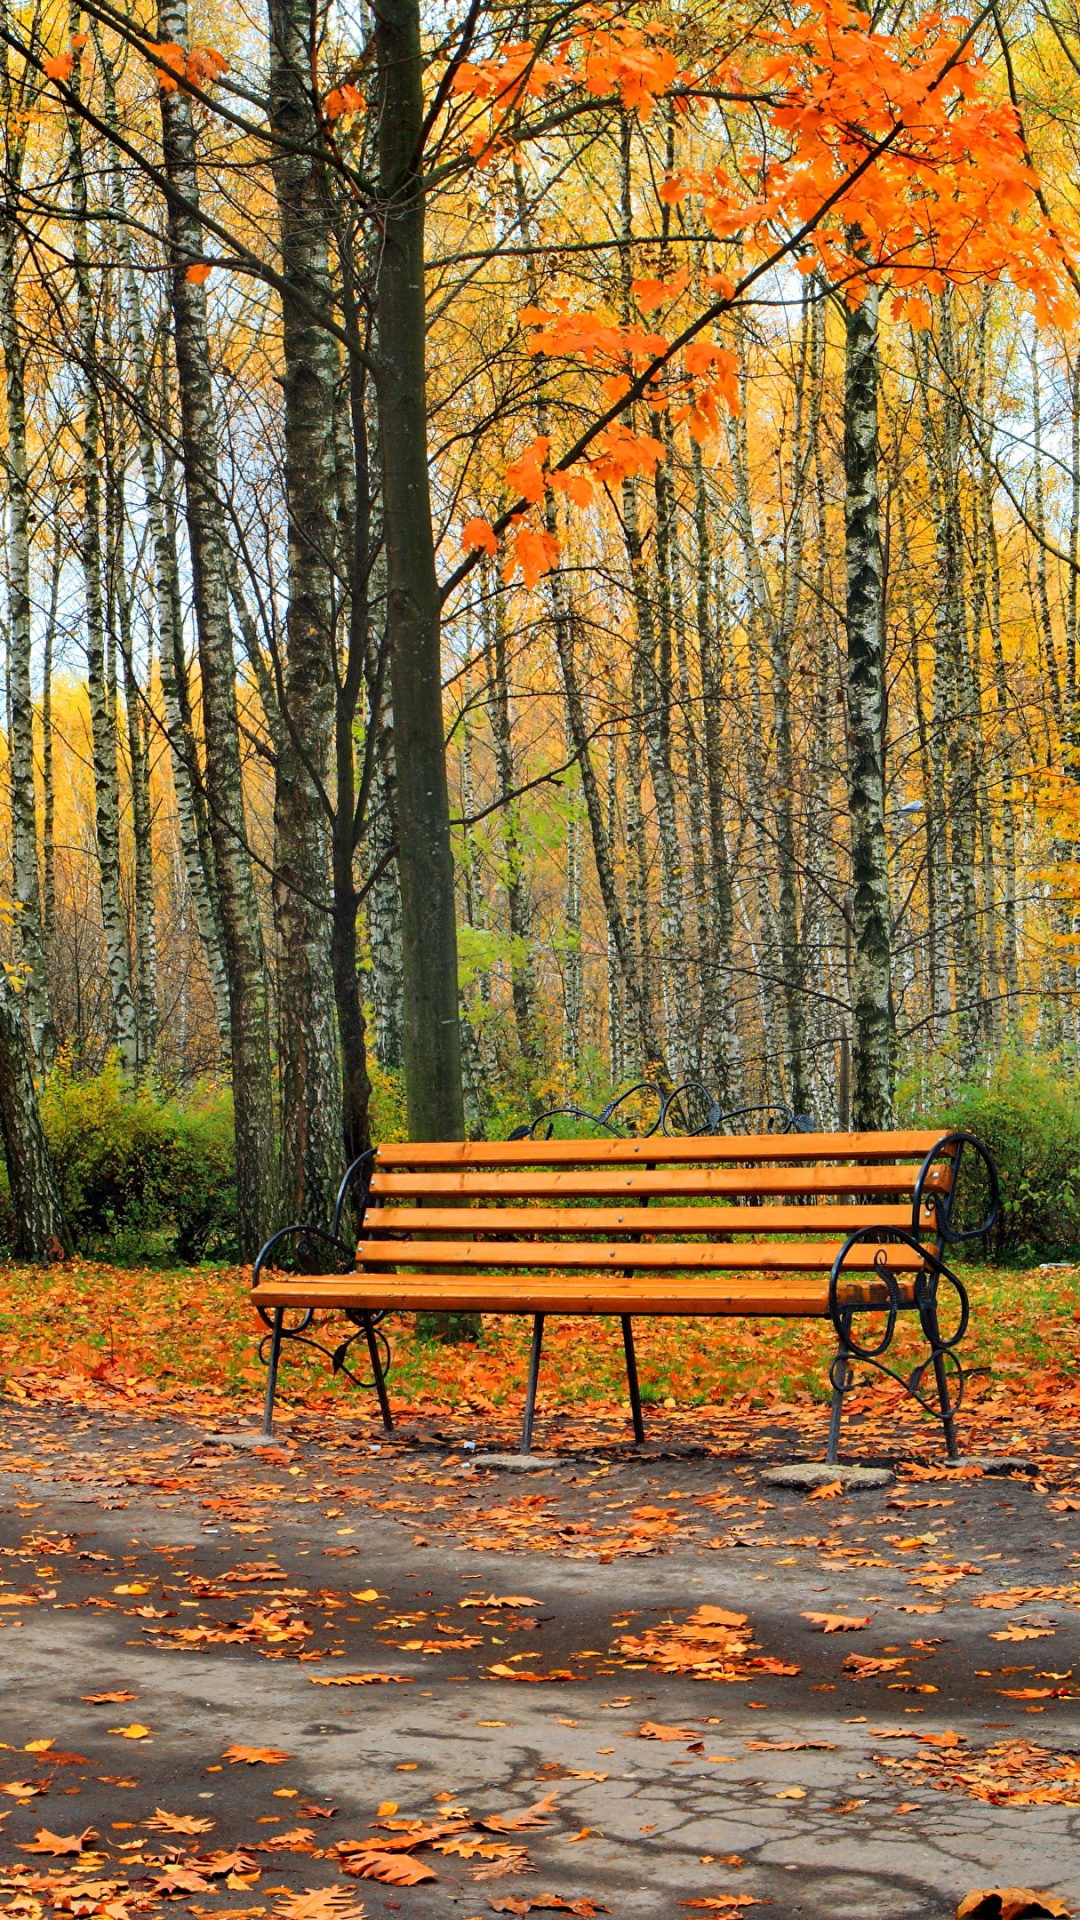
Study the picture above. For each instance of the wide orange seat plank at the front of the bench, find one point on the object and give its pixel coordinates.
(568, 1295)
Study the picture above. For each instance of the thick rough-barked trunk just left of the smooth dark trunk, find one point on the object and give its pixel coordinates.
(310, 1074)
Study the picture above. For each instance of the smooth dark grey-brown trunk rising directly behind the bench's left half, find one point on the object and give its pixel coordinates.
(426, 859)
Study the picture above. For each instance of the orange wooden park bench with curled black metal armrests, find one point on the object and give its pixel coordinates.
(812, 1226)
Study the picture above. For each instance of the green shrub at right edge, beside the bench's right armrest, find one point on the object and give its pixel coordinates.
(1029, 1118)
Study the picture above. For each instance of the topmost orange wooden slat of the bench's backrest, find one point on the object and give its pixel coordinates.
(725, 1149)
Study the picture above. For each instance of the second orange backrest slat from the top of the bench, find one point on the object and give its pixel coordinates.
(675, 1182)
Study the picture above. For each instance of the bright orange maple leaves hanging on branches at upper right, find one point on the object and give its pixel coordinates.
(881, 158)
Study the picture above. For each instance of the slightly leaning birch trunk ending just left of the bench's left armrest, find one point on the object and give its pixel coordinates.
(249, 1017)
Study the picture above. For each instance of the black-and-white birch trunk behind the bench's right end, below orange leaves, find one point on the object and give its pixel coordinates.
(871, 1105)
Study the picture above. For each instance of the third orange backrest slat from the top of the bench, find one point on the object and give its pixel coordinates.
(650, 1222)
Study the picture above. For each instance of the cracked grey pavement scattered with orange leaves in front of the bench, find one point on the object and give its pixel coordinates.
(825, 1792)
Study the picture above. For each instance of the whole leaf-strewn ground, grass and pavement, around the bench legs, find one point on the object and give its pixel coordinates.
(368, 1673)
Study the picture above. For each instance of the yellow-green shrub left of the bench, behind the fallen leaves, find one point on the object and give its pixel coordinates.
(139, 1174)
